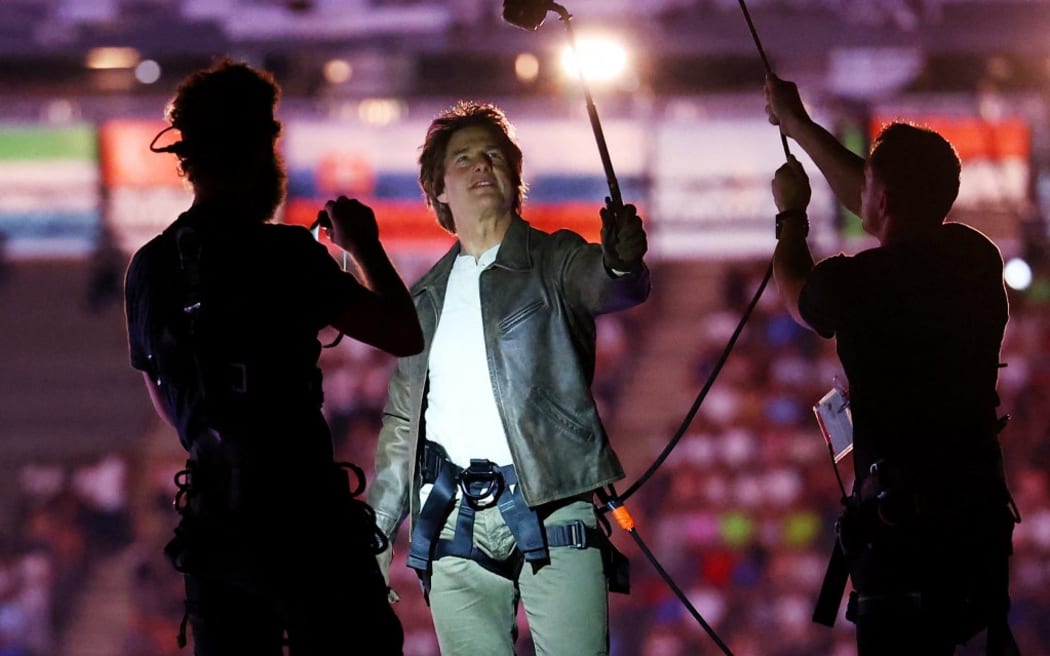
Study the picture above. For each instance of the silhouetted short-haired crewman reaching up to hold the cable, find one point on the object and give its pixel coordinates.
(918, 324)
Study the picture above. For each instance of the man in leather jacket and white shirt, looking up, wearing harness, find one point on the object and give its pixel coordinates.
(499, 405)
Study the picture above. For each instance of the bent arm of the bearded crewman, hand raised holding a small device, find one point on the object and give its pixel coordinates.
(385, 318)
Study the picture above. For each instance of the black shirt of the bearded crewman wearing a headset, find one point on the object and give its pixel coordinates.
(266, 292)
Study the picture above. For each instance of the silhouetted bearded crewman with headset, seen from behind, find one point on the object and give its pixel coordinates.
(224, 311)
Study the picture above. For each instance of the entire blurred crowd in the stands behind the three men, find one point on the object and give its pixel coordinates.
(740, 517)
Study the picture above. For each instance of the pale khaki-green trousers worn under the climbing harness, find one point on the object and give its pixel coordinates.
(566, 602)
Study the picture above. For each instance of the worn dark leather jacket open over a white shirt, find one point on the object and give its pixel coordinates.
(539, 302)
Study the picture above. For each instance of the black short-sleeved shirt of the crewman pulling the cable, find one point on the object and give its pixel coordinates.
(919, 329)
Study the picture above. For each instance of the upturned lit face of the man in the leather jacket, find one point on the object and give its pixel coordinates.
(477, 177)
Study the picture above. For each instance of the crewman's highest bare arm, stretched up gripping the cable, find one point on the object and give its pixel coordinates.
(844, 170)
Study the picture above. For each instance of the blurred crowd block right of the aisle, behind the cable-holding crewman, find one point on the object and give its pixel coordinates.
(742, 514)
